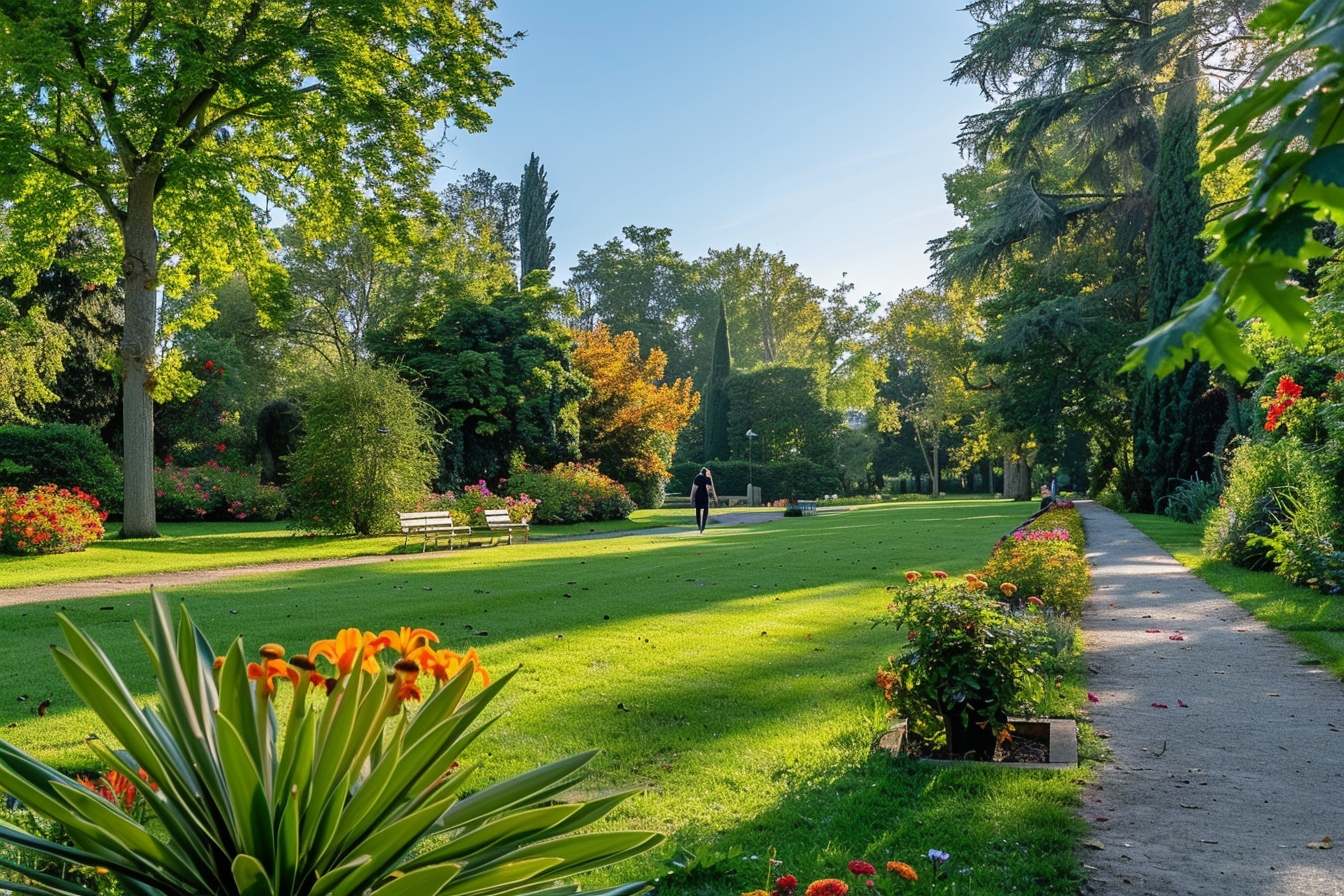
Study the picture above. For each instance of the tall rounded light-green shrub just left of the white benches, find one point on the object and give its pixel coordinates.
(366, 455)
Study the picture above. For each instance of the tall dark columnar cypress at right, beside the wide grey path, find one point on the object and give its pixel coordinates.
(1169, 447)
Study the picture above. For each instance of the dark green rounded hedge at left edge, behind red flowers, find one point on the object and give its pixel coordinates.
(69, 456)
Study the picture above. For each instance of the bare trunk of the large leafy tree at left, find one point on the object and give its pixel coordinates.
(140, 269)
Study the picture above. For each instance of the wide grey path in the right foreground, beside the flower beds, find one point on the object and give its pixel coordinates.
(1222, 791)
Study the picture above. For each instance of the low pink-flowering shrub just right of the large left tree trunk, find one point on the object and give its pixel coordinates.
(214, 492)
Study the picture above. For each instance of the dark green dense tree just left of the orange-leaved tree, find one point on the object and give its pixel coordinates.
(499, 374)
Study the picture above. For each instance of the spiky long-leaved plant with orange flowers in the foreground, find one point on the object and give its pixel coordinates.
(360, 796)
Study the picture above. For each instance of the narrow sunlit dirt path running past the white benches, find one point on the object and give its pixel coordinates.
(123, 585)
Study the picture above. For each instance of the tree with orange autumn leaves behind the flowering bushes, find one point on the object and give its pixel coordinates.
(631, 421)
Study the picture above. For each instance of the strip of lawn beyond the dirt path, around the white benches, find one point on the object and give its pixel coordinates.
(208, 546)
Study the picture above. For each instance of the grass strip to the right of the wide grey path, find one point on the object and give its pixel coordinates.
(1314, 620)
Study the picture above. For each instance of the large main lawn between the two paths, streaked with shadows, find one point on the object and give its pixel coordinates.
(730, 674)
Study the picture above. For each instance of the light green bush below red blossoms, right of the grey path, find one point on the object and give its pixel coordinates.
(1269, 484)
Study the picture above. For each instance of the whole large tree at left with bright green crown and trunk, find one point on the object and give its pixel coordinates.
(179, 126)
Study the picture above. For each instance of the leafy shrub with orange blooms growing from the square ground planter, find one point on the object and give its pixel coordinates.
(967, 662)
